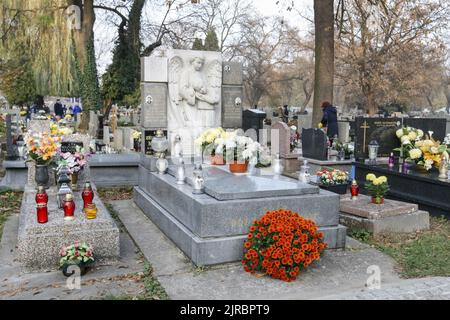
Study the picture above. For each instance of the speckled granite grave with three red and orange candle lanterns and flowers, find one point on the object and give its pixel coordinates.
(62, 218)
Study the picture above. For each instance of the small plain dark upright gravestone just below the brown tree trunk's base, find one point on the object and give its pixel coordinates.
(314, 144)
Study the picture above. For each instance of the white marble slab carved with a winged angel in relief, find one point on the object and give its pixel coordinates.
(194, 94)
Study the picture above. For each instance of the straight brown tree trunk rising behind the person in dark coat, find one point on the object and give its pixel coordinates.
(324, 56)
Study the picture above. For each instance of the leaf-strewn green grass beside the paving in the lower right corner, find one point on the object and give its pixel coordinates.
(419, 254)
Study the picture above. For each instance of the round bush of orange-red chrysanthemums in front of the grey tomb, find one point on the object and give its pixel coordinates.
(281, 244)
